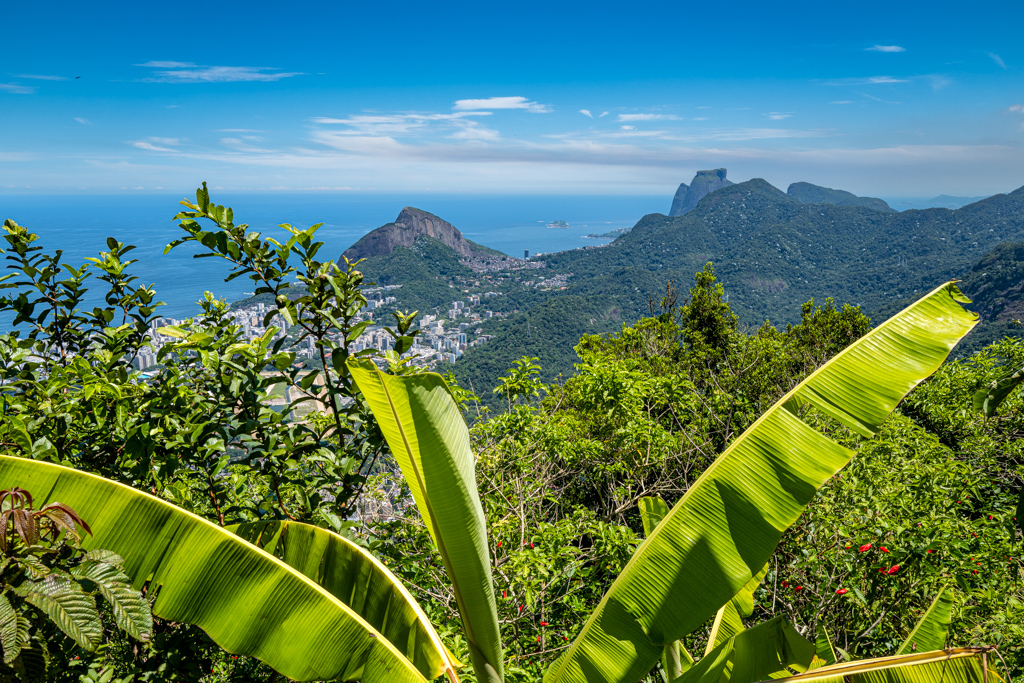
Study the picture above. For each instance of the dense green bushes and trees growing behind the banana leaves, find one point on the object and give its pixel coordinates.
(562, 473)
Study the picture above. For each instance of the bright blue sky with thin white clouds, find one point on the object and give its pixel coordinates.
(884, 99)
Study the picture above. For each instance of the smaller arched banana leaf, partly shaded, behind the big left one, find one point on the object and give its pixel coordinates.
(362, 582)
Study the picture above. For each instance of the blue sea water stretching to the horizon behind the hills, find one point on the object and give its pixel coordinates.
(79, 225)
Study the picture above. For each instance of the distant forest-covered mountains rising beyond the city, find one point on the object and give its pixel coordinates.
(773, 251)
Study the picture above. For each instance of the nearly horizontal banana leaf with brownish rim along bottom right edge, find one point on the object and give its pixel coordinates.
(964, 665)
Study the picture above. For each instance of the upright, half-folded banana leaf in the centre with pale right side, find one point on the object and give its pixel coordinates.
(431, 442)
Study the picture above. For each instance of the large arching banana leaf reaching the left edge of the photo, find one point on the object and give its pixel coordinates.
(247, 601)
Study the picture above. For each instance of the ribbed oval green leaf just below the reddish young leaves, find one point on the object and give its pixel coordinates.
(68, 606)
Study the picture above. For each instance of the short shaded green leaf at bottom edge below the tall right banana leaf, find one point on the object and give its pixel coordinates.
(754, 655)
